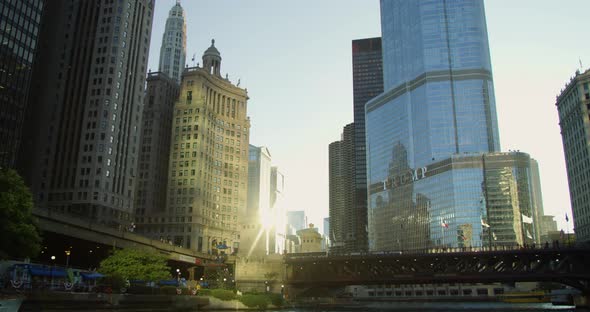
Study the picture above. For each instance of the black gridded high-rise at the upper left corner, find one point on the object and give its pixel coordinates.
(20, 23)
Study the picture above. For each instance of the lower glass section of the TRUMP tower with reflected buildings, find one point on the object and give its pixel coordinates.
(469, 200)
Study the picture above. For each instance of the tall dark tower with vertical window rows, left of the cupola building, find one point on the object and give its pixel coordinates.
(88, 107)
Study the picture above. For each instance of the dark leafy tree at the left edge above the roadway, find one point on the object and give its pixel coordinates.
(19, 234)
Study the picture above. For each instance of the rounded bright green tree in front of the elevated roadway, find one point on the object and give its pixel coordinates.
(136, 264)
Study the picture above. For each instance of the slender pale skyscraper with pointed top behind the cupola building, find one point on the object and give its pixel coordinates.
(173, 50)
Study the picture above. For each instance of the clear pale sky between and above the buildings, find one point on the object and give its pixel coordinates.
(294, 57)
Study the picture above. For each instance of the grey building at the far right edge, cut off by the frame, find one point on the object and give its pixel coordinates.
(573, 107)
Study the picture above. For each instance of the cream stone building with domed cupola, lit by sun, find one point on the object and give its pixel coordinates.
(208, 165)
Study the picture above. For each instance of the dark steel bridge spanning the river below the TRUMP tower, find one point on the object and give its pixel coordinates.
(570, 266)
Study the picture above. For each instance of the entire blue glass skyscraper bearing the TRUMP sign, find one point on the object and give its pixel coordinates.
(435, 174)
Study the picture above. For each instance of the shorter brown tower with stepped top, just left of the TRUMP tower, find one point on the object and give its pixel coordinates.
(347, 223)
